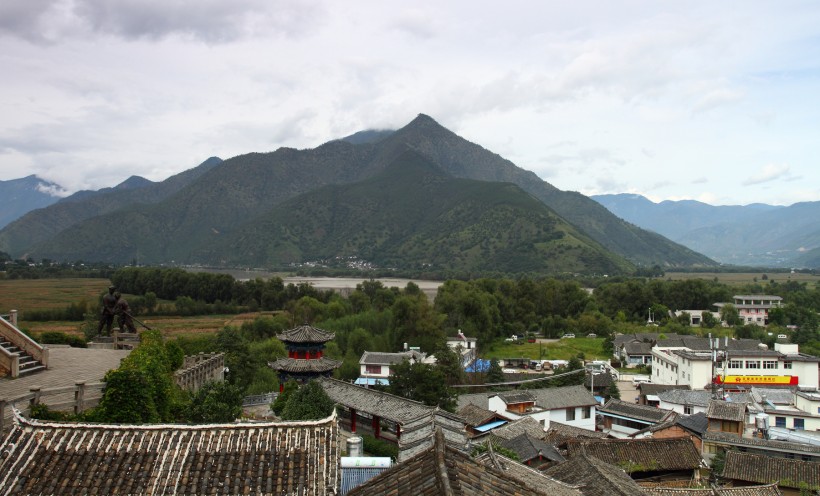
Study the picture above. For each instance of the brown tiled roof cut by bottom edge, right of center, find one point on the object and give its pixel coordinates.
(595, 477)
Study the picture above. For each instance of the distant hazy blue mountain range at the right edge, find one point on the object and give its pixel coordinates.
(755, 235)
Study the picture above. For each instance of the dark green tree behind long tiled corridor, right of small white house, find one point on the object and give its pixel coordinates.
(422, 382)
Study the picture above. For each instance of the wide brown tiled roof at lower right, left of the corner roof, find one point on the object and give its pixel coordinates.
(641, 455)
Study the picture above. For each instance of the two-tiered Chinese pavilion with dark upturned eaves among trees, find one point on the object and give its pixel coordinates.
(305, 345)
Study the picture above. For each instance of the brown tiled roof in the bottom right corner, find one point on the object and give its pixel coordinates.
(767, 469)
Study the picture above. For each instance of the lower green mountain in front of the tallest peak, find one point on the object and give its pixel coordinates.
(414, 215)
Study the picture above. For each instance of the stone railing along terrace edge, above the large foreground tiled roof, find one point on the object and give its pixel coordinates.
(77, 398)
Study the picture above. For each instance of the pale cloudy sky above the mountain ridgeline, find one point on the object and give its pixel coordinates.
(714, 101)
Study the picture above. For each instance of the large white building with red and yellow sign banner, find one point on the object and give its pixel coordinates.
(736, 368)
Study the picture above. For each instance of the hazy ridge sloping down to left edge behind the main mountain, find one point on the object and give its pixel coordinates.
(40, 225)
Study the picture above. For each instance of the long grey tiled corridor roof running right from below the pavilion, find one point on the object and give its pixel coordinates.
(388, 406)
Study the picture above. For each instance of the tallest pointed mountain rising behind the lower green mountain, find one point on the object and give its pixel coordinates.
(214, 207)
